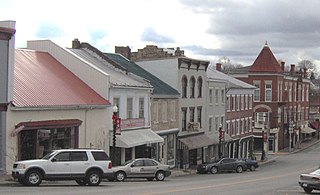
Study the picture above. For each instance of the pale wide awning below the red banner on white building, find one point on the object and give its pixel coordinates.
(137, 137)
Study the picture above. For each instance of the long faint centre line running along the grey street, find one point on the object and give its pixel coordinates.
(228, 184)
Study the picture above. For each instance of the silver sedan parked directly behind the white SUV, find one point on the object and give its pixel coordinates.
(142, 168)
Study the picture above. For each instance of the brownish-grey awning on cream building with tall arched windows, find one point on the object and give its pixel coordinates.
(196, 141)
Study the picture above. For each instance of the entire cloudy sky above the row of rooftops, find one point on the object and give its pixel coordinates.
(205, 29)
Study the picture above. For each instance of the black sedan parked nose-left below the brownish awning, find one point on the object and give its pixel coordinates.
(222, 165)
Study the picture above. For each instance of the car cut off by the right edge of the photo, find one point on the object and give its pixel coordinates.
(310, 181)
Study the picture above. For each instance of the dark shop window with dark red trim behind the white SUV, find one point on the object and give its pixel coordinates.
(36, 139)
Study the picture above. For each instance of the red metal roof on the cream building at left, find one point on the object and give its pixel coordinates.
(41, 81)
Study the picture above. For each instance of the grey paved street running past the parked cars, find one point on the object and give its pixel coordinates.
(279, 177)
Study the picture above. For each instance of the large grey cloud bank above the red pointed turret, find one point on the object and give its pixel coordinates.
(290, 27)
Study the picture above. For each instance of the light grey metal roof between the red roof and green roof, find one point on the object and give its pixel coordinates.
(117, 77)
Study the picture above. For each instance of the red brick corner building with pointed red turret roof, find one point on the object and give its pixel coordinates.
(279, 98)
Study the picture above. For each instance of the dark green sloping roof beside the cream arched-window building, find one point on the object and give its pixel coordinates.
(160, 87)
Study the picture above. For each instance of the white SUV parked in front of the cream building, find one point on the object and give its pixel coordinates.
(85, 166)
